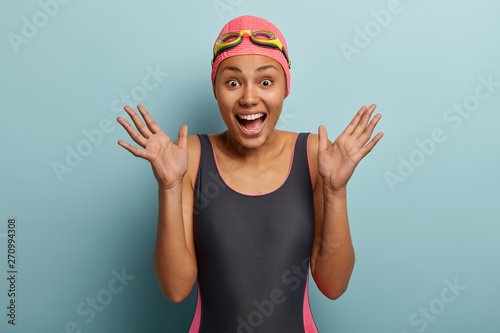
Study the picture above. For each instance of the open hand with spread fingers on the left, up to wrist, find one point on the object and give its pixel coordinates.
(168, 159)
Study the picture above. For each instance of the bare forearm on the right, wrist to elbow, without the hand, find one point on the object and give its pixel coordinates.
(335, 260)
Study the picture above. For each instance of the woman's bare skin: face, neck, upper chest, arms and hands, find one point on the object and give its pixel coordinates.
(256, 84)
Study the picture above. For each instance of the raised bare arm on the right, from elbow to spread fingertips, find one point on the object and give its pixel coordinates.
(332, 255)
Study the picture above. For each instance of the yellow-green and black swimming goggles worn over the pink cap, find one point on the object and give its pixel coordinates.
(264, 38)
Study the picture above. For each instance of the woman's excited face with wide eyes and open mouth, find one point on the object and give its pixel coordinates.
(250, 90)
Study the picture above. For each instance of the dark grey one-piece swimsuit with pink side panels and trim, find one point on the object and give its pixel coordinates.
(253, 251)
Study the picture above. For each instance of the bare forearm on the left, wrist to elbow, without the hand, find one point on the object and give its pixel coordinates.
(174, 267)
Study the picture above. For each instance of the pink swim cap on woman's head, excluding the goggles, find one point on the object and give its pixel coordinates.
(252, 23)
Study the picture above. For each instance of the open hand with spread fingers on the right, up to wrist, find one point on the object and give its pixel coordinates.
(336, 162)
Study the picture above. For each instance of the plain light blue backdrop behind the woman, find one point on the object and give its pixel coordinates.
(435, 224)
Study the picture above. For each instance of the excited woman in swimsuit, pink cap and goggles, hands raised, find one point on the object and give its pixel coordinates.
(247, 212)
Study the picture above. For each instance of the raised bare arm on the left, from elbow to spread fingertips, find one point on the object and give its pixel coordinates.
(174, 257)
